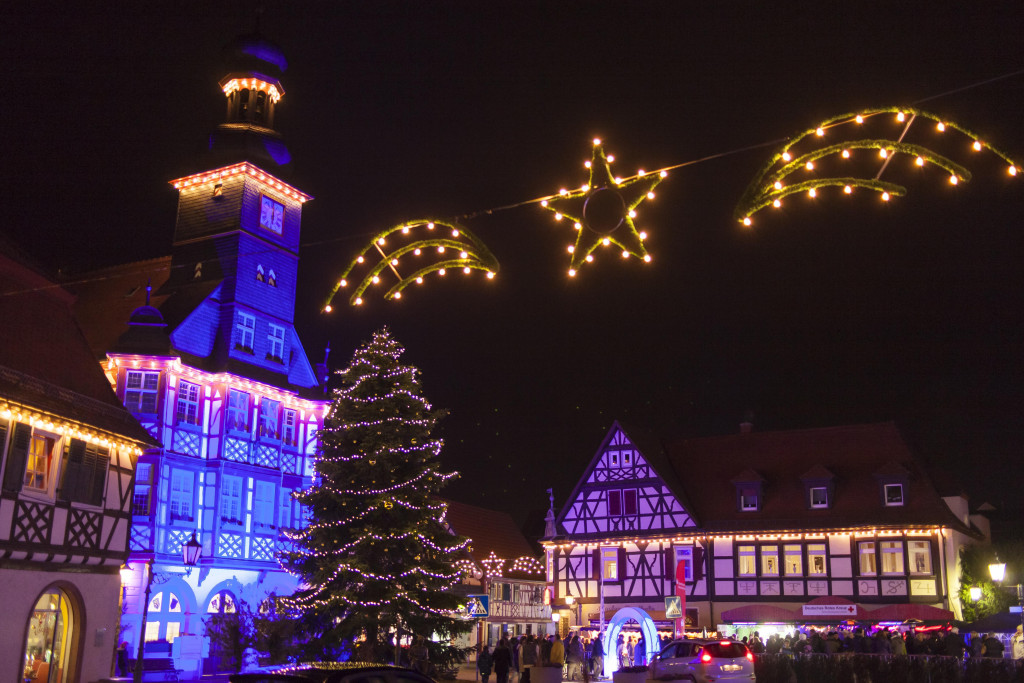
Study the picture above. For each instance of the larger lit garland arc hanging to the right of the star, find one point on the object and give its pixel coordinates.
(782, 176)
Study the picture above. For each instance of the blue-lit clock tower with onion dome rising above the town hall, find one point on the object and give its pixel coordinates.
(237, 238)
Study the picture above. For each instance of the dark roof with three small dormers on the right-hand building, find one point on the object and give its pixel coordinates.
(856, 454)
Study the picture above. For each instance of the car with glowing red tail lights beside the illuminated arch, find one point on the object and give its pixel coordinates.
(704, 661)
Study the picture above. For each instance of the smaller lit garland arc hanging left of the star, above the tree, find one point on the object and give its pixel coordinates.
(422, 247)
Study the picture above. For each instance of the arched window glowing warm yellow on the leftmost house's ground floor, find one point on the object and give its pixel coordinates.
(48, 652)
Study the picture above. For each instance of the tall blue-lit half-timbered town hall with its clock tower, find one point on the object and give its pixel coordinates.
(214, 368)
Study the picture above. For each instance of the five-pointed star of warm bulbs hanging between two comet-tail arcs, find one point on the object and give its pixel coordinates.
(603, 211)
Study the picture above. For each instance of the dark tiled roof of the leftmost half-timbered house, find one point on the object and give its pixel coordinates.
(46, 362)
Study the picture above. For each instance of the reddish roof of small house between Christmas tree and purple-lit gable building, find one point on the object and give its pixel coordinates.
(491, 532)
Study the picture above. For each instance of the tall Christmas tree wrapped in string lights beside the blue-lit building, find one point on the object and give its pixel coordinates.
(376, 559)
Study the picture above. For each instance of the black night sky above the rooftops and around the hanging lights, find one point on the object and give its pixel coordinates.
(833, 312)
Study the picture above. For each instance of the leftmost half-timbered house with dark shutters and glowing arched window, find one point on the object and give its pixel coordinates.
(68, 455)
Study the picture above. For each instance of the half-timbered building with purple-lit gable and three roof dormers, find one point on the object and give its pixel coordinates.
(795, 527)
